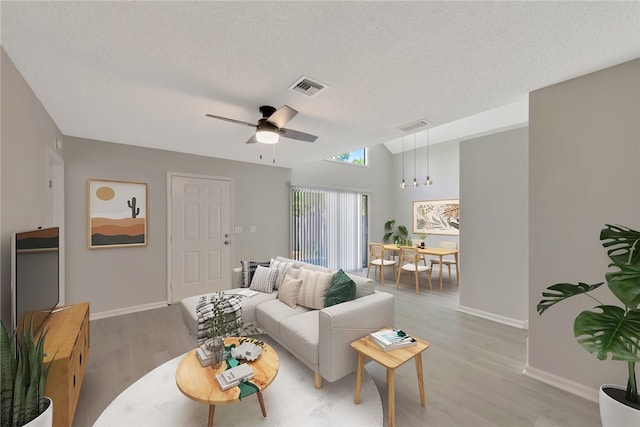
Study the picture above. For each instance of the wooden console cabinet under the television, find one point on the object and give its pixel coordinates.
(67, 344)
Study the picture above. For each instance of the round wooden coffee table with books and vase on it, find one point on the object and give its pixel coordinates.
(199, 383)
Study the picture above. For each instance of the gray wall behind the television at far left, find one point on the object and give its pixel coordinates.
(26, 136)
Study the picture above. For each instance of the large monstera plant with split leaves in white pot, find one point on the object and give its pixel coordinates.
(611, 329)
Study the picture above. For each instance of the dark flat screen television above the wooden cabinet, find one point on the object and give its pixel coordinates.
(35, 272)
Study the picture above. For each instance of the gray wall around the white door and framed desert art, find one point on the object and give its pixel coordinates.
(125, 278)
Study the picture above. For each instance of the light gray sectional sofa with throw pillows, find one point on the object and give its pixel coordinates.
(318, 338)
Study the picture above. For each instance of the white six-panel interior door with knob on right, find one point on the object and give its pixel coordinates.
(199, 236)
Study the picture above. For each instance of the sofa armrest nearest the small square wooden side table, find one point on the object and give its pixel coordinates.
(344, 323)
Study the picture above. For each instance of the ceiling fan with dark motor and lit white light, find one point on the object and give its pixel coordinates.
(269, 128)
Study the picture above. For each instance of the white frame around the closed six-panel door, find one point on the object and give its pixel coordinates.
(170, 175)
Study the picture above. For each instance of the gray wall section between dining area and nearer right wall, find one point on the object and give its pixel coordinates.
(494, 222)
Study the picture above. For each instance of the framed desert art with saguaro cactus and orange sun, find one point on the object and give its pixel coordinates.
(117, 213)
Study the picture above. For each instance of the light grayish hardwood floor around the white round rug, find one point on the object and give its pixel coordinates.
(473, 369)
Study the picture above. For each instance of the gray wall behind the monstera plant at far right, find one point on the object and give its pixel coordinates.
(584, 153)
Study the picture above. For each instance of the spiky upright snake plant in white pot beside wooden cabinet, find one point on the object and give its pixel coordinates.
(23, 374)
